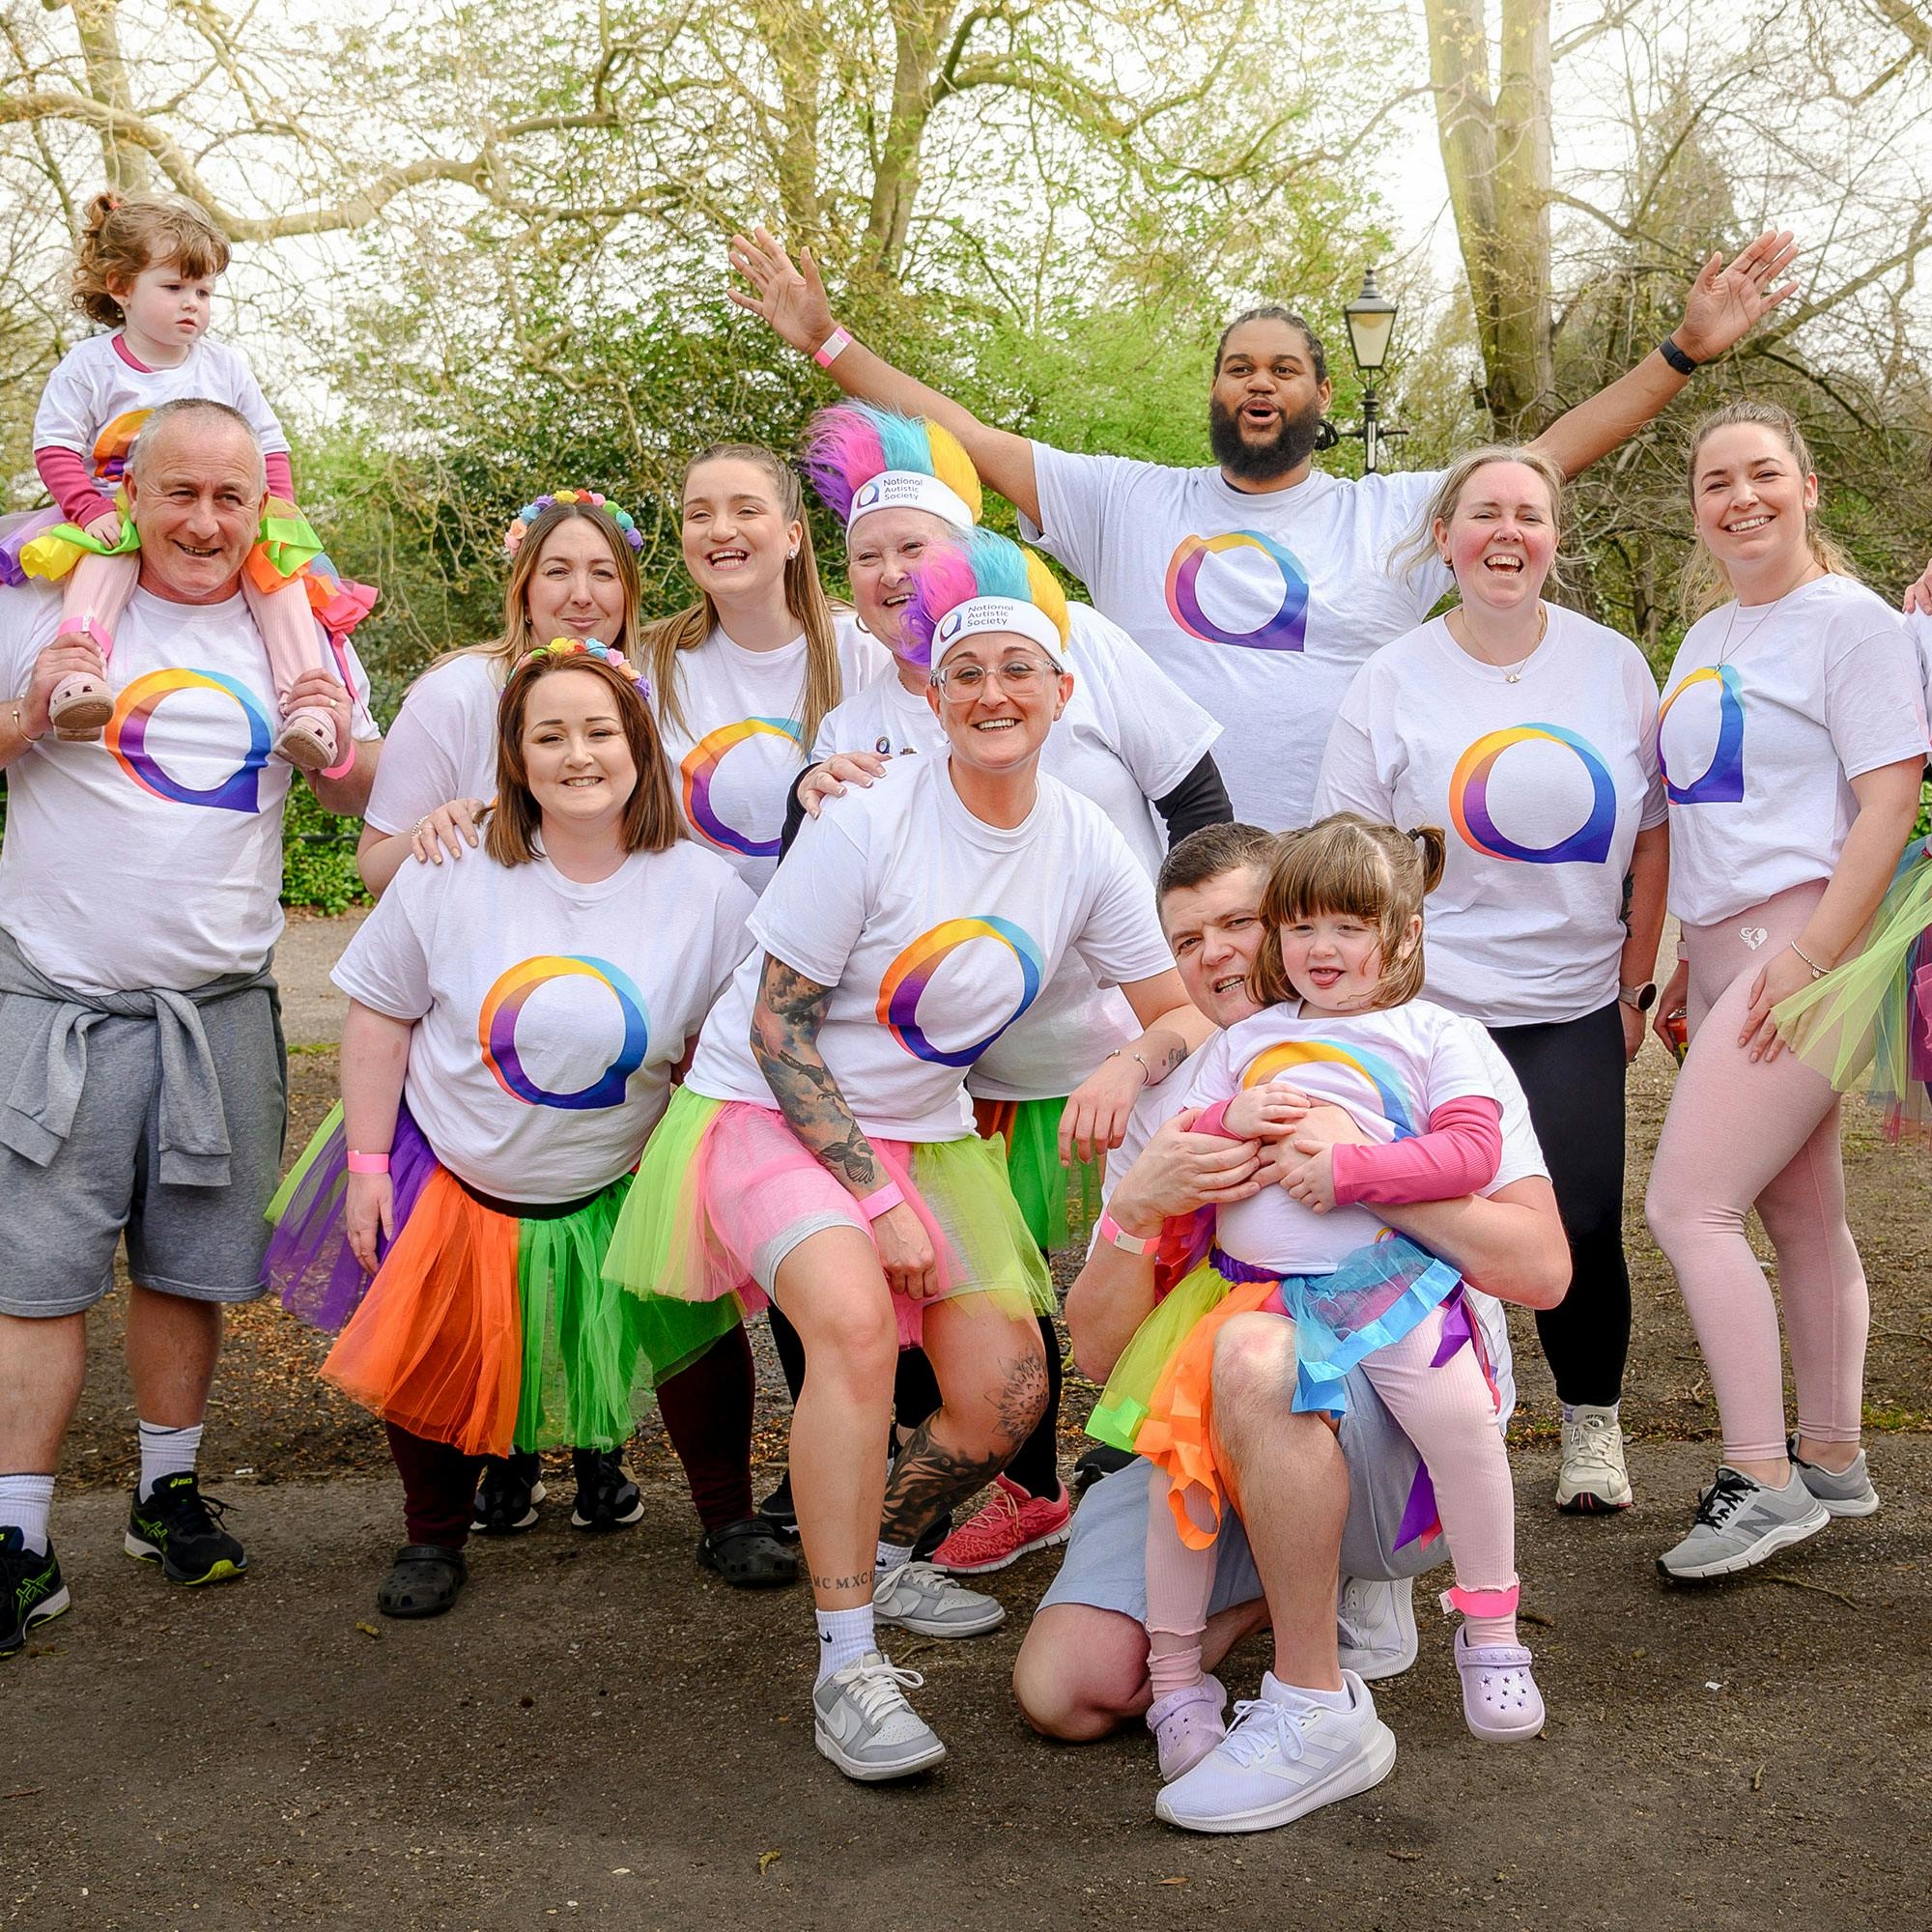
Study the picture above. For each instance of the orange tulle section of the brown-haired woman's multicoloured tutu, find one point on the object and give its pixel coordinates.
(438, 1342)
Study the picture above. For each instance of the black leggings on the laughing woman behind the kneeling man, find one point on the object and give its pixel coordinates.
(1572, 1075)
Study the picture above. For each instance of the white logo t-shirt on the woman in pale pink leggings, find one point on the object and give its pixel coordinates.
(1769, 714)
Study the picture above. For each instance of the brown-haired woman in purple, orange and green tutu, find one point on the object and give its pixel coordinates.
(513, 1035)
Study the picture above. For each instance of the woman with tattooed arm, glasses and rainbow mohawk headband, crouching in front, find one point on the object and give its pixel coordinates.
(822, 1152)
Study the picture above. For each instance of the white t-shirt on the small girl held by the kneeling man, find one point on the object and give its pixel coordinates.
(1388, 1071)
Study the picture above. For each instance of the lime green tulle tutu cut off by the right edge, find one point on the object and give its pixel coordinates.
(1877, 1009)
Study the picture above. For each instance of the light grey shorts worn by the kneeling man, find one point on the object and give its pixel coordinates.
(1106, 1562)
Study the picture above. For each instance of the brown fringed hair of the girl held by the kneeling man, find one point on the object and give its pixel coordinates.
(1348, 865)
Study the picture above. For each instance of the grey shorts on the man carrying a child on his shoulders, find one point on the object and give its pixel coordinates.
(67, 1220)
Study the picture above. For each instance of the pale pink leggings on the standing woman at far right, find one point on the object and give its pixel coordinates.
(1763, 1135)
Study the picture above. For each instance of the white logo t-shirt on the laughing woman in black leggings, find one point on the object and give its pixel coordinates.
(1541, 789)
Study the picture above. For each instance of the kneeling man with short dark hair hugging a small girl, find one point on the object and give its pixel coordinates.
(1319, 1508)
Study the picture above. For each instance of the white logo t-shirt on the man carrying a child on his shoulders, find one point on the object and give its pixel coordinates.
(152, 857)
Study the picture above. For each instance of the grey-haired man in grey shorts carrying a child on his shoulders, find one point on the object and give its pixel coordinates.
(142, 1071)
